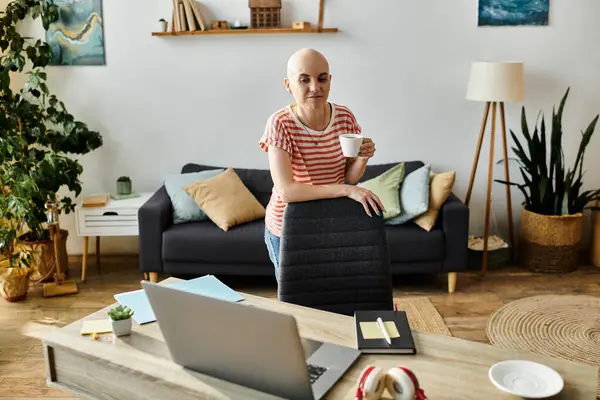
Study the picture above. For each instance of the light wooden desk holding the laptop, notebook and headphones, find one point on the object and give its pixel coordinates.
(139, 366)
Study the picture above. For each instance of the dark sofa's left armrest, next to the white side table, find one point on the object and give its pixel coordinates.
(154, 216)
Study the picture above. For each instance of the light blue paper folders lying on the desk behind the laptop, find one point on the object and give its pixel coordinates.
(207, 285)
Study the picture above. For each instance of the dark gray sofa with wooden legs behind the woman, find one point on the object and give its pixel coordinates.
(199, 248)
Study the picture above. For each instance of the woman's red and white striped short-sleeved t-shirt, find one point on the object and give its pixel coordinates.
(316, 156)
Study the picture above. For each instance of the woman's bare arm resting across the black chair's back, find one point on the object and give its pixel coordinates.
(290, 191)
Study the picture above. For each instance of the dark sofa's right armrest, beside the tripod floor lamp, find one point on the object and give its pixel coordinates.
(455, 224)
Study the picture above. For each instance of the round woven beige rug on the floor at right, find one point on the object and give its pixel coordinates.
(561, 326)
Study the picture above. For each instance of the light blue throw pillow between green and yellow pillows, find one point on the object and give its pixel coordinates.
(414, 195)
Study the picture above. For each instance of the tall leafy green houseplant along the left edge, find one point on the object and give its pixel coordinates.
(38, 135)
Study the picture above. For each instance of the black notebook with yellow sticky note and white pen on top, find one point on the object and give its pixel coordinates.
(370, 338)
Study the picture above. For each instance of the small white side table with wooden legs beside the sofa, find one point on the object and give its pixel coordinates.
(116, 218)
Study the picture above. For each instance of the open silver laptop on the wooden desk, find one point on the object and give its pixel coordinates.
(246, 345)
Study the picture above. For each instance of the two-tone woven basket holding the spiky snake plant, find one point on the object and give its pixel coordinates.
(549, 243)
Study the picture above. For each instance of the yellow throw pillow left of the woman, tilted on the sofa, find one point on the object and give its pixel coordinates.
(226, 200)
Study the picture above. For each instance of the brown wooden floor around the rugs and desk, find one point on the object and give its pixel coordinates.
(466, 311)
